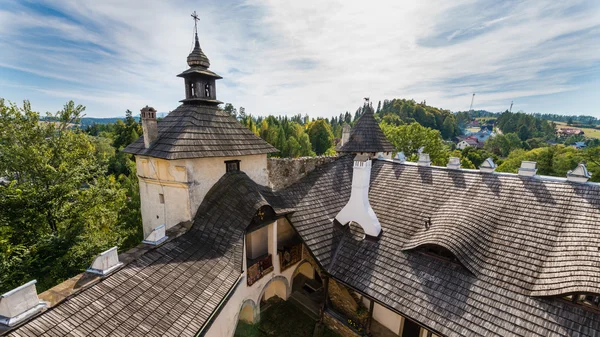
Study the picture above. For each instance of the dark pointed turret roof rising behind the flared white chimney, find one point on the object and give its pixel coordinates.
(366, 136)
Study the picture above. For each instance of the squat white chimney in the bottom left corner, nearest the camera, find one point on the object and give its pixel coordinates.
(19, 304)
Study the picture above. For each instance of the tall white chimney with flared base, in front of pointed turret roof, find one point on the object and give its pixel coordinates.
(358, 208)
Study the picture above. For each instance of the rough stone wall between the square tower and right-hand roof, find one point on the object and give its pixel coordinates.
(285, 171)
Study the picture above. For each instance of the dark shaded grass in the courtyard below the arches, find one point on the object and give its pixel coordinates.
(281, 319)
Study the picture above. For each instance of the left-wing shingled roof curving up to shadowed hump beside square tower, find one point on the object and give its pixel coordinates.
(173, 289)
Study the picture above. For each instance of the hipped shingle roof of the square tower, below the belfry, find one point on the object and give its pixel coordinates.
(198, 131)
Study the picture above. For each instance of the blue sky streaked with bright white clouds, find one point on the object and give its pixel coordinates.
(316, 57)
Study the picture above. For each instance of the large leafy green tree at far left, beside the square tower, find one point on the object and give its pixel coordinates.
(59, 208)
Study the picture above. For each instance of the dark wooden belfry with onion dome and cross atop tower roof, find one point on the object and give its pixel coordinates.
(200, 83)
